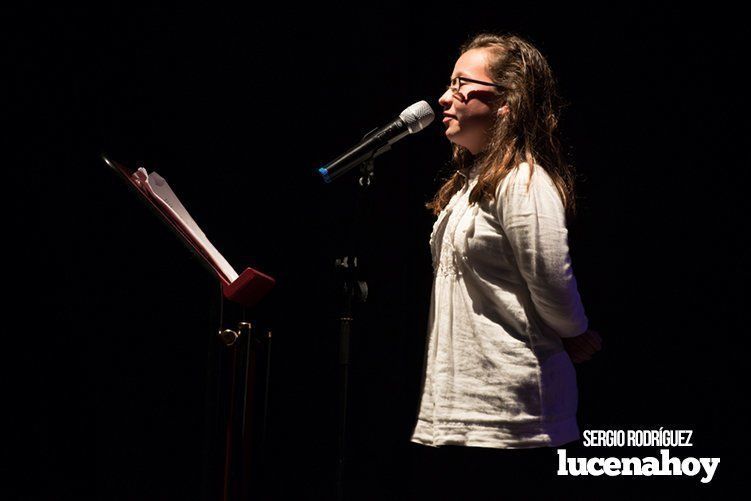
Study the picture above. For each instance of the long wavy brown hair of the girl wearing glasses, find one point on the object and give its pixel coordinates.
(527, 133)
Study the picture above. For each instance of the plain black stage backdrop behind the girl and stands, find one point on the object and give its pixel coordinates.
(111, 315)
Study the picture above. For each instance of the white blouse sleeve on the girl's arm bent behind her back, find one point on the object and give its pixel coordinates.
(534, 222)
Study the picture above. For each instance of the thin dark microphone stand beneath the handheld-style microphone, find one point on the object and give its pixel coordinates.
(353, 289)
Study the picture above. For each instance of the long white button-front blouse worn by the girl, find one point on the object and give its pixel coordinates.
(504, 293)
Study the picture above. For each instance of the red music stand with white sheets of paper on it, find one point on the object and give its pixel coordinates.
(236, 357)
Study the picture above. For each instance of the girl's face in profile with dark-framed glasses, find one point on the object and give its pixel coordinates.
(468, 112)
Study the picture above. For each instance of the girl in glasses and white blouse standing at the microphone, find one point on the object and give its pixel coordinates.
(506, 319)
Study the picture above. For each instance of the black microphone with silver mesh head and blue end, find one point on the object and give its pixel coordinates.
(413, 119)
